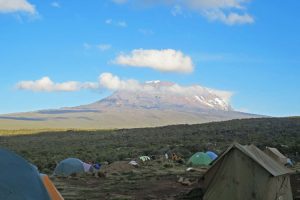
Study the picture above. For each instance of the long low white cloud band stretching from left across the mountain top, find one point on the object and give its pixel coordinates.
(108, 81)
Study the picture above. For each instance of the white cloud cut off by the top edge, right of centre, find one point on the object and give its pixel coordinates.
(230, 12)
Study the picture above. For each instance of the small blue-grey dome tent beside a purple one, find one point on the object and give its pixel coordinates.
(69, 166)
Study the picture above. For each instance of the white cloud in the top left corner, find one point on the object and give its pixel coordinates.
(10, 6)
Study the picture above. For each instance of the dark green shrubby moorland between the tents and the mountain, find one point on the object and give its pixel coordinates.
(46, 148)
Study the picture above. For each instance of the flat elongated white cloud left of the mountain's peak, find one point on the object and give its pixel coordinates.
(45, 84)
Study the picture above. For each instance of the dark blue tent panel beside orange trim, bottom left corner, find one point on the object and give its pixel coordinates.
(19, 180)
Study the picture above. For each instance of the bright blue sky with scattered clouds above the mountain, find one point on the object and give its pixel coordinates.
(250, 48)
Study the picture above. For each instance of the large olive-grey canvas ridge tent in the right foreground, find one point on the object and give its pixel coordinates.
(245, 172)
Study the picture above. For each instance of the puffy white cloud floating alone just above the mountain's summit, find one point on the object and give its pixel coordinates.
(166, 60)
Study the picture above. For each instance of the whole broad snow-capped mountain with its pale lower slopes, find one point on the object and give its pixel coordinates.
(156, 104)
